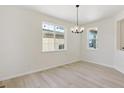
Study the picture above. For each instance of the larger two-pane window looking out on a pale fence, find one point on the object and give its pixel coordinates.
(53, 38)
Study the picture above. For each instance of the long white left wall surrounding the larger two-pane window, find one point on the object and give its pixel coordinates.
(20, 43)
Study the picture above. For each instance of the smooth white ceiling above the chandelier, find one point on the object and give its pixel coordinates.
(87, 13)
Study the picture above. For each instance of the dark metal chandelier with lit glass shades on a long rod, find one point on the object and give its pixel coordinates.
(77, 28)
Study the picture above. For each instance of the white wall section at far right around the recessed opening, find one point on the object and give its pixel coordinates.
(119, 55)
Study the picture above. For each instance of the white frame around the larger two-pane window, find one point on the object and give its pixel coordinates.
(65, 39)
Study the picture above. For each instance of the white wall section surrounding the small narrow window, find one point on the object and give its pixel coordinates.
(104, 54)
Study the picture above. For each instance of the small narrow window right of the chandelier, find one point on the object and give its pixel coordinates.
(92, 38)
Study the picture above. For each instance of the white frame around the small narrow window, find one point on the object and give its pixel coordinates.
(91, 48)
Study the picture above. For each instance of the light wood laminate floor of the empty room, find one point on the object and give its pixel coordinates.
(75, 75)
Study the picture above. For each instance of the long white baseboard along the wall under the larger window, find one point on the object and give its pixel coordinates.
(36, 70)
